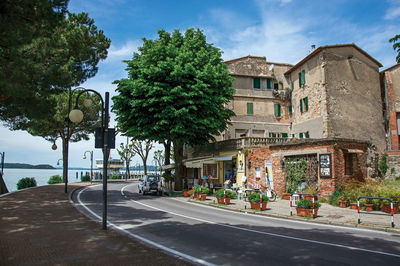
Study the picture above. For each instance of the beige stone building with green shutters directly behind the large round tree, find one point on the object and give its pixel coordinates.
(262, 99)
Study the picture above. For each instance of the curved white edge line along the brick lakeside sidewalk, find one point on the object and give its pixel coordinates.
(145, 240)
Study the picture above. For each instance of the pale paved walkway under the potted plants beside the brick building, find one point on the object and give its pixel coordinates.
(327, 214)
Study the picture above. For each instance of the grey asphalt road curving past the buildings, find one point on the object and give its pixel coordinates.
(205, 235)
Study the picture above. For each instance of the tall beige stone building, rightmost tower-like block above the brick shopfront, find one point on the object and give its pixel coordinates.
(336, 94)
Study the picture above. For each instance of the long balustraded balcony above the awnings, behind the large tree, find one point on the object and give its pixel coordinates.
(236, 144)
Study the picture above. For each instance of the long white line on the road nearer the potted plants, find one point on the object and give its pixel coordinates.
(266, 233)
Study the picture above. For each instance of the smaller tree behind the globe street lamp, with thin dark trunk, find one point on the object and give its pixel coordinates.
(54, 126)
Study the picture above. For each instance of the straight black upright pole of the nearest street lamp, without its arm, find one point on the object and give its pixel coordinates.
(105, 160)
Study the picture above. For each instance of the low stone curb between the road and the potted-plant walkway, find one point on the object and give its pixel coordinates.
(288, 217)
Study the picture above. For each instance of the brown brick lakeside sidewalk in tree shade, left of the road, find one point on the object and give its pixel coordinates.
(40, 226)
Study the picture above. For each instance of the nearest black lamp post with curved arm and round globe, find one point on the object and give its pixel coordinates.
(76, 116)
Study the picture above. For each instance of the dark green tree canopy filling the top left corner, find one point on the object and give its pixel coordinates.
(44, 49)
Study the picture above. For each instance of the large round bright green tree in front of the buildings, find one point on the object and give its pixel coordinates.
(176, 90)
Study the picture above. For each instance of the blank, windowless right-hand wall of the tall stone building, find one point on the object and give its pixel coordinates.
(353, 98)
